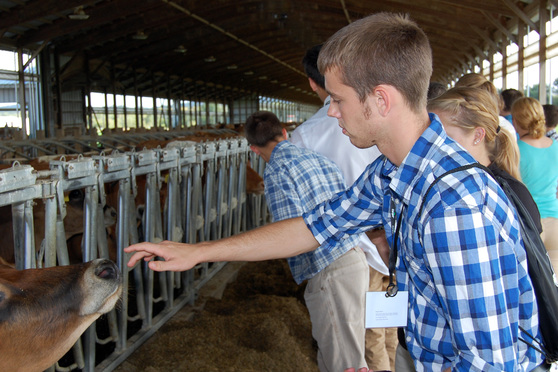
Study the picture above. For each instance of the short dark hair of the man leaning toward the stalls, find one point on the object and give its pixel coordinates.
(262, 127)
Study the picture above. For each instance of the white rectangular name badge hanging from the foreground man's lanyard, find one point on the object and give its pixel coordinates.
(386, 312)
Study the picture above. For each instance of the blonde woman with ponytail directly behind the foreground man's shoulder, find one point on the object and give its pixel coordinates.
(470, 117)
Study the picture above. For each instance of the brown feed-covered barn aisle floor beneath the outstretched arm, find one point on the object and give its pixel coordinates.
(249, 317)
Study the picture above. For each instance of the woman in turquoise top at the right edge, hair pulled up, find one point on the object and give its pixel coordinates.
(538, 159)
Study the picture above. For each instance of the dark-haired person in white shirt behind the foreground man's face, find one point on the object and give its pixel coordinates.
(322, 134)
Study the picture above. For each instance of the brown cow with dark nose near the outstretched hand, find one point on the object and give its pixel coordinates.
(44, 311)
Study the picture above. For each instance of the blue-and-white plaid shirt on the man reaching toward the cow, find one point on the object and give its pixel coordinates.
(462, 261)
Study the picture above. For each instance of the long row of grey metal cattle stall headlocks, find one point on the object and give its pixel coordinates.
(185, 192)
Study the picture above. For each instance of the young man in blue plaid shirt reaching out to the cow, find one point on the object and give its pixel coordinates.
(462, 260)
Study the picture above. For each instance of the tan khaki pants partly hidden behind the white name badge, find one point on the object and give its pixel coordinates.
(381, 343)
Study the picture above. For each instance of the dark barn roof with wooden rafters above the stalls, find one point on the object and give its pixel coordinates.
(213, 48)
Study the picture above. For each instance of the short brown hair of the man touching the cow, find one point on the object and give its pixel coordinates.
(383, 48)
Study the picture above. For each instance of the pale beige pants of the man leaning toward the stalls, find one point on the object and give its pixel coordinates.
(335, 302)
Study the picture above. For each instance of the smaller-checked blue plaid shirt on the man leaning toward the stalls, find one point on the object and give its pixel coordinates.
(296, 180)
